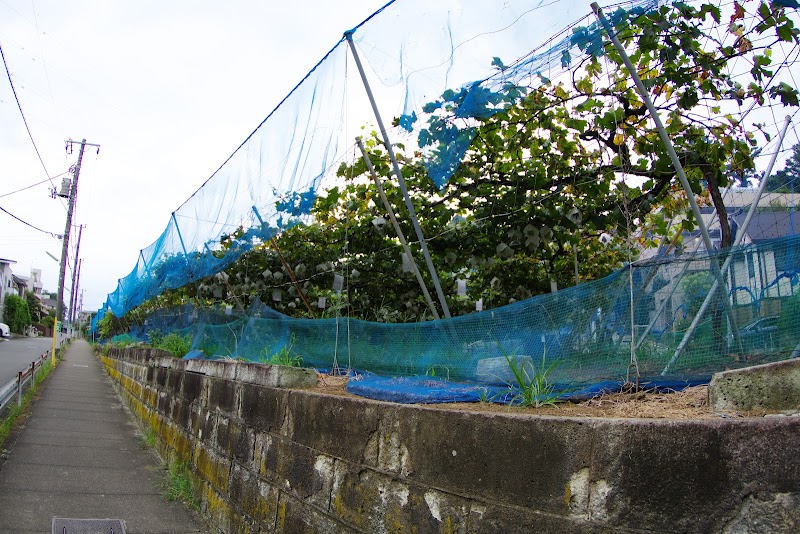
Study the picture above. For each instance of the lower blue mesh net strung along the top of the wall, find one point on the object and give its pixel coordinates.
(605, 330)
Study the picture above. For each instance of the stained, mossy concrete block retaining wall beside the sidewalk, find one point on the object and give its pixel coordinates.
(269, 459)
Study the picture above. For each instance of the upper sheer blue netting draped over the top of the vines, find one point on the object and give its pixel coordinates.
(418, 51)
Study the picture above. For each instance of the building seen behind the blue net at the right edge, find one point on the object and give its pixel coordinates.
(759, 278)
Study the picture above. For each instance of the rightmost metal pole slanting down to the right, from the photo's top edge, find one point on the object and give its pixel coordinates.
(673, 156)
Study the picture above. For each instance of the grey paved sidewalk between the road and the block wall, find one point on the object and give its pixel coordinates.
(79, 456)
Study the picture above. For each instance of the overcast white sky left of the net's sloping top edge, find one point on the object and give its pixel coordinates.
(167, 89)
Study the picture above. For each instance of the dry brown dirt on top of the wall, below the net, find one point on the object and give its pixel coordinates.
(691, 403)
